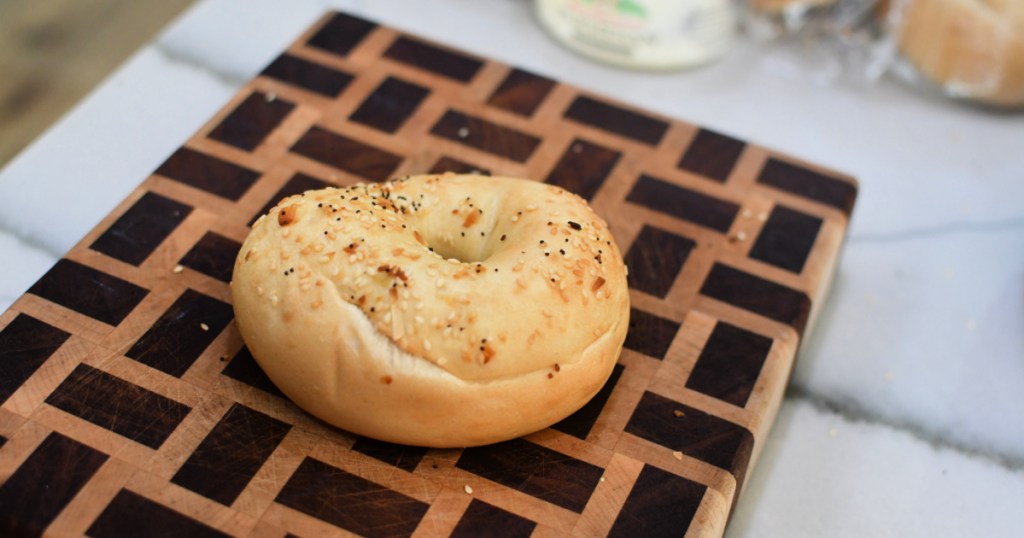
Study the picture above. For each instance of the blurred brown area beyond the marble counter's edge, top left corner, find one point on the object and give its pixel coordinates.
(53, 54)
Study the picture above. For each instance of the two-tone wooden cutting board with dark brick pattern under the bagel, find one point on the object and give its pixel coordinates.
(131, 405)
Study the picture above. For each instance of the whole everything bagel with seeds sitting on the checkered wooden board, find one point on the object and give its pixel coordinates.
(439, 311)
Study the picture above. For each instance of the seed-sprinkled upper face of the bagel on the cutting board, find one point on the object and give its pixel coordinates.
(420, 264)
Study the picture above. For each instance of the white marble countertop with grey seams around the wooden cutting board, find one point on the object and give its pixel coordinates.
(906, 416)
